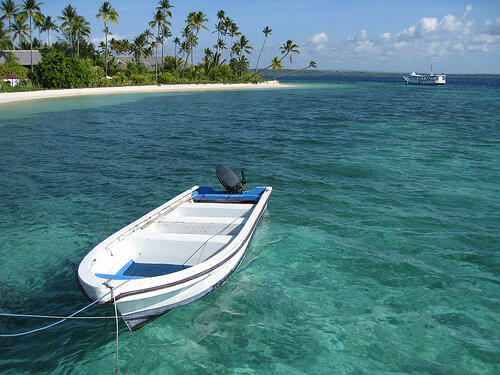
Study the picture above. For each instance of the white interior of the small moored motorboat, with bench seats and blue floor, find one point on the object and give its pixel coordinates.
(190, 234)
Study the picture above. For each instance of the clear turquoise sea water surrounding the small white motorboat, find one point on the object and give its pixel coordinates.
(378, 254)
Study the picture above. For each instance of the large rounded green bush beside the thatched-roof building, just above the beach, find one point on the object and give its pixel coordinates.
(57, 71)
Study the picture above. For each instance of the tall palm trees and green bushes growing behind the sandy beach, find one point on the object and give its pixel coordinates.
(73, 61)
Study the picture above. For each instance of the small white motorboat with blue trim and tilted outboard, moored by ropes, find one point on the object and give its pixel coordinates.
(176, 253)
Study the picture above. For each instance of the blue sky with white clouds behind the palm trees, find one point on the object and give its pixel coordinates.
(456, 36)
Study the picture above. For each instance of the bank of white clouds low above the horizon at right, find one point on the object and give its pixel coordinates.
(431, 39)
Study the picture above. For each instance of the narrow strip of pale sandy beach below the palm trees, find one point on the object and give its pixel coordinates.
(10, 97)
